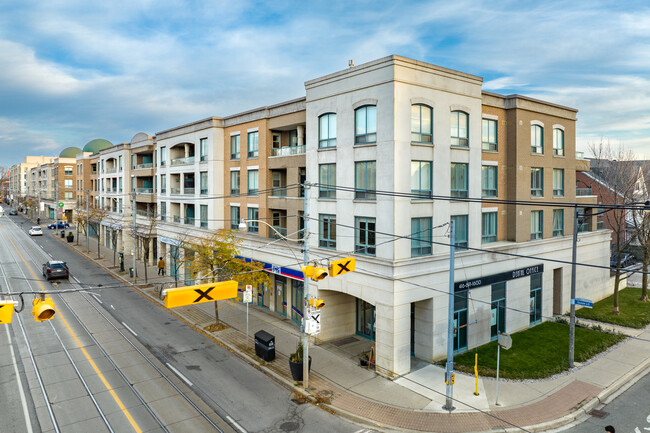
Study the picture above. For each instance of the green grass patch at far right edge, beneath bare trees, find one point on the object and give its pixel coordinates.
(634, 313)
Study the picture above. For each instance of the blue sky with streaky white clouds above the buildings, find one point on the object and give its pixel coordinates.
(72, 71)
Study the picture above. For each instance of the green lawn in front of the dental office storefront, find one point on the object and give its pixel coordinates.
(538, 352)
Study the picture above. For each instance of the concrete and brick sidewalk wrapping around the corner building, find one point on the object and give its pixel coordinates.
(413, 401)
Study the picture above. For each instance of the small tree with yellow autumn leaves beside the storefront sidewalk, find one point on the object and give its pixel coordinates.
(216, 258)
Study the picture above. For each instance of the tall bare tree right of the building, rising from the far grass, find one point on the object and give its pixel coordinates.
(612, 165)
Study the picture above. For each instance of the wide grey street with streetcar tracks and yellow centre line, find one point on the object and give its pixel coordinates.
(111, 360)
